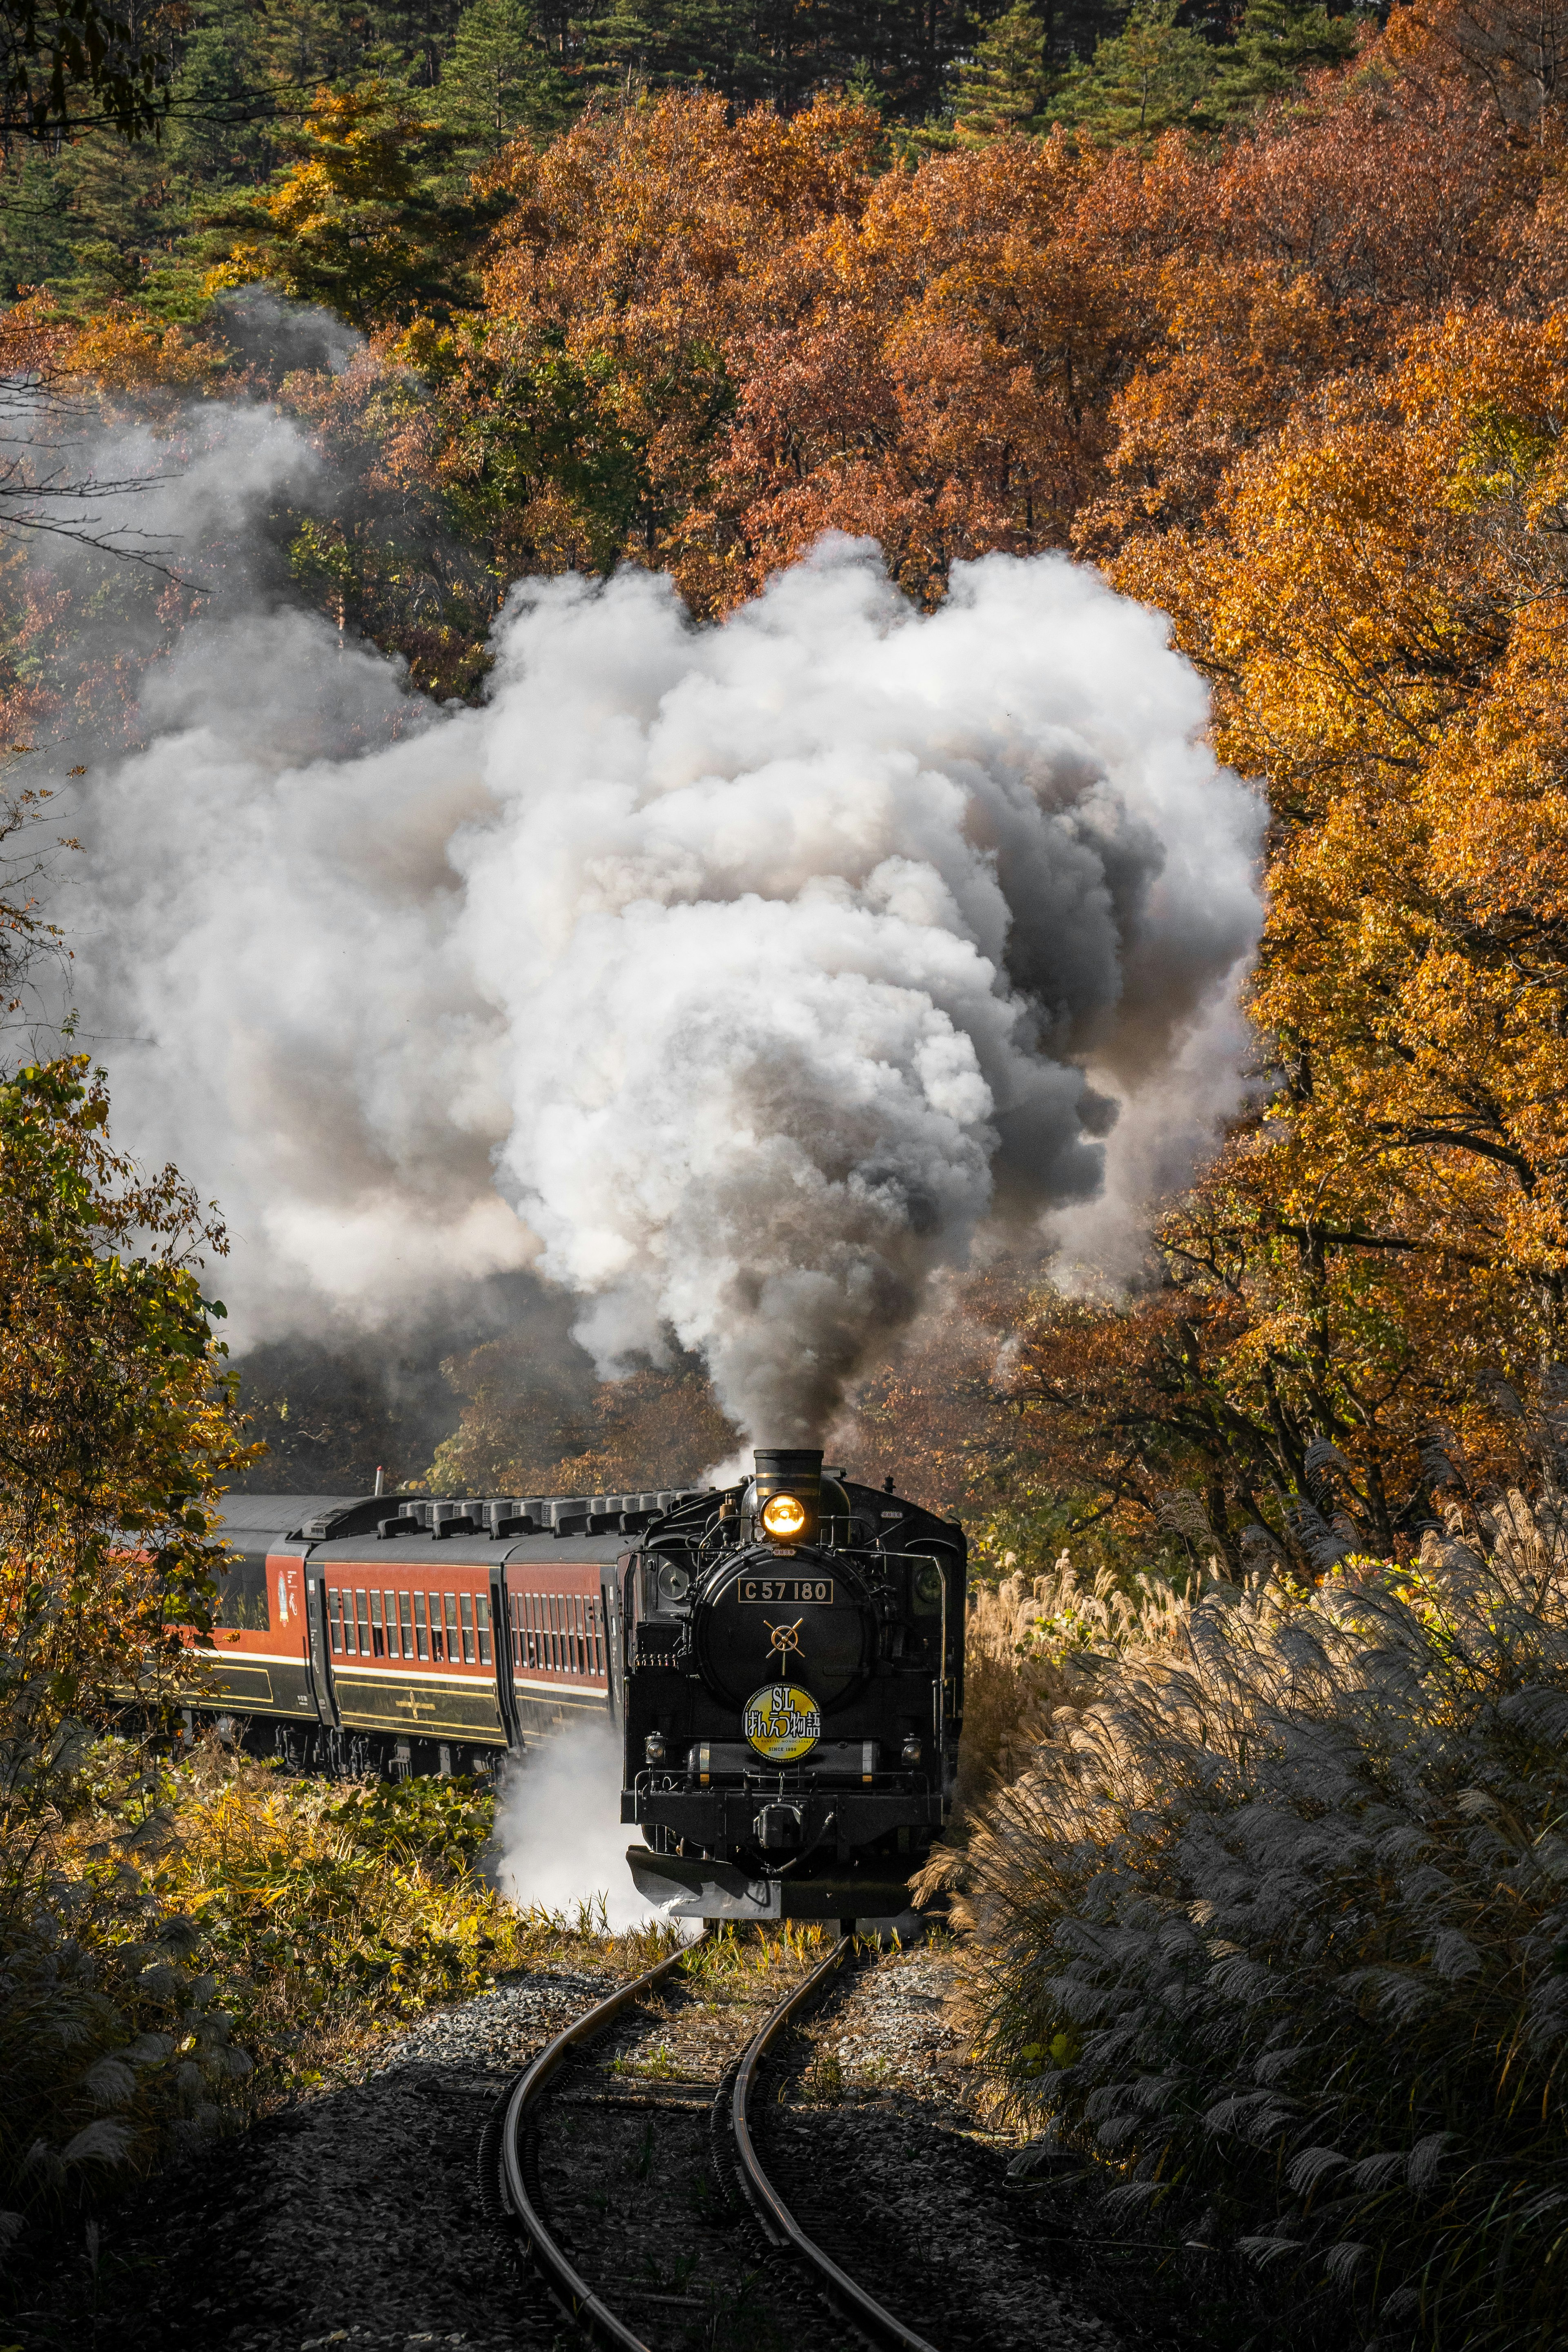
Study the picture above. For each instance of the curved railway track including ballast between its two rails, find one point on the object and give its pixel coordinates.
(641, 2186)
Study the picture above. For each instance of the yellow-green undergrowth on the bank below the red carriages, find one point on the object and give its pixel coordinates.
(189, 1942)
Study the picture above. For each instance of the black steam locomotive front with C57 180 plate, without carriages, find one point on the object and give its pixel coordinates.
(793, 1695)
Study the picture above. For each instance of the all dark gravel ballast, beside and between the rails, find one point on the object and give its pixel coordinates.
(356, 2219)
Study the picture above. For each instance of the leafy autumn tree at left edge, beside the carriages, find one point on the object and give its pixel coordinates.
(116, 1415)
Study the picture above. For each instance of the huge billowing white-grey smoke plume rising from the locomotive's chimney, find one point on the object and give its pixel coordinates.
(737, 980)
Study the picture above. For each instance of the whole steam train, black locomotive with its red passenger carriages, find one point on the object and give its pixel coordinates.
(784, 1662)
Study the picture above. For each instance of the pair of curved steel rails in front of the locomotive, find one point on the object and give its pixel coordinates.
(793, 2266)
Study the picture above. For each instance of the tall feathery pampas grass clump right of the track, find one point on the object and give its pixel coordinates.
(1273, 1920)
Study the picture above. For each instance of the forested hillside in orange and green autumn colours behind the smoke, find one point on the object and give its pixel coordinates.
(1280, 347)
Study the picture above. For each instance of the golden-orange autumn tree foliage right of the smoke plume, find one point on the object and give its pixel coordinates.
(1381, 606)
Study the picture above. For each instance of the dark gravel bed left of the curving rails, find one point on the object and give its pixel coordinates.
(351, 2219)
